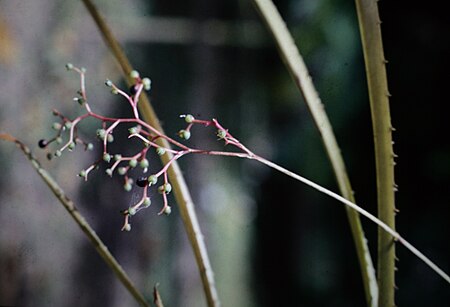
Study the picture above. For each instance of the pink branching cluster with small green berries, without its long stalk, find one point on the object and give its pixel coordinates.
(147, 134)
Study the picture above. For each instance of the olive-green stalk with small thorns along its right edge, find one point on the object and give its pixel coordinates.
(369, 24)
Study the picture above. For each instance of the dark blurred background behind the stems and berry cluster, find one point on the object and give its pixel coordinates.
(272, 241)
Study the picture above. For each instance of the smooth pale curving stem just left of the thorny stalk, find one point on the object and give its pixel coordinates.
(299, 72)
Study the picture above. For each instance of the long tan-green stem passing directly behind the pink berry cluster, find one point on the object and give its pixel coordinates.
(180, 188)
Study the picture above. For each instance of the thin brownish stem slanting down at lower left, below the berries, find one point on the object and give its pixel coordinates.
(81, 221)
